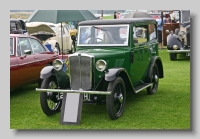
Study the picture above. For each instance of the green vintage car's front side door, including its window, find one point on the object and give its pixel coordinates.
(140, 53)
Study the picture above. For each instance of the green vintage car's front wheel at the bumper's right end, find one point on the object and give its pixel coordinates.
(116, 101)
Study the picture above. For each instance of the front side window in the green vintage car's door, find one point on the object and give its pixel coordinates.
(140, 34)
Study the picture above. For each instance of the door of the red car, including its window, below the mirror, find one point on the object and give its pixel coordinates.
(28, 64)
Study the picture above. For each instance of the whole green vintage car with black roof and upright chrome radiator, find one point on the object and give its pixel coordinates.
(112, 59)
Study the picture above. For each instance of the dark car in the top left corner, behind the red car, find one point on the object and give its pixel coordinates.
(15, 26)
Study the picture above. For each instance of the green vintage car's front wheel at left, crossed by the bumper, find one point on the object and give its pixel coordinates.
(50, 101)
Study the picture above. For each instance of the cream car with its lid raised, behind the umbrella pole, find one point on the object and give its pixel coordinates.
(50, 33)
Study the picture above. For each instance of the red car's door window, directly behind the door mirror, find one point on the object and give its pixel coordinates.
(23, 44)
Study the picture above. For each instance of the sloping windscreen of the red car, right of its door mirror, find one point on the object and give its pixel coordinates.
(37, 46)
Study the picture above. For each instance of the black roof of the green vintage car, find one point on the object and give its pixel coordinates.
(116, 21)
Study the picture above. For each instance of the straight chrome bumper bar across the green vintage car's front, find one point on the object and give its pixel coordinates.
(74, 91)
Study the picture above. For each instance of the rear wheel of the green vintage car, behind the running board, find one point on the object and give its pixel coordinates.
(153, 77)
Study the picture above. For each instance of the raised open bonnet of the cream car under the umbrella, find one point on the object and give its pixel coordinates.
(36, 27)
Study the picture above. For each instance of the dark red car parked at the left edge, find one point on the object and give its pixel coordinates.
(27, 58)
